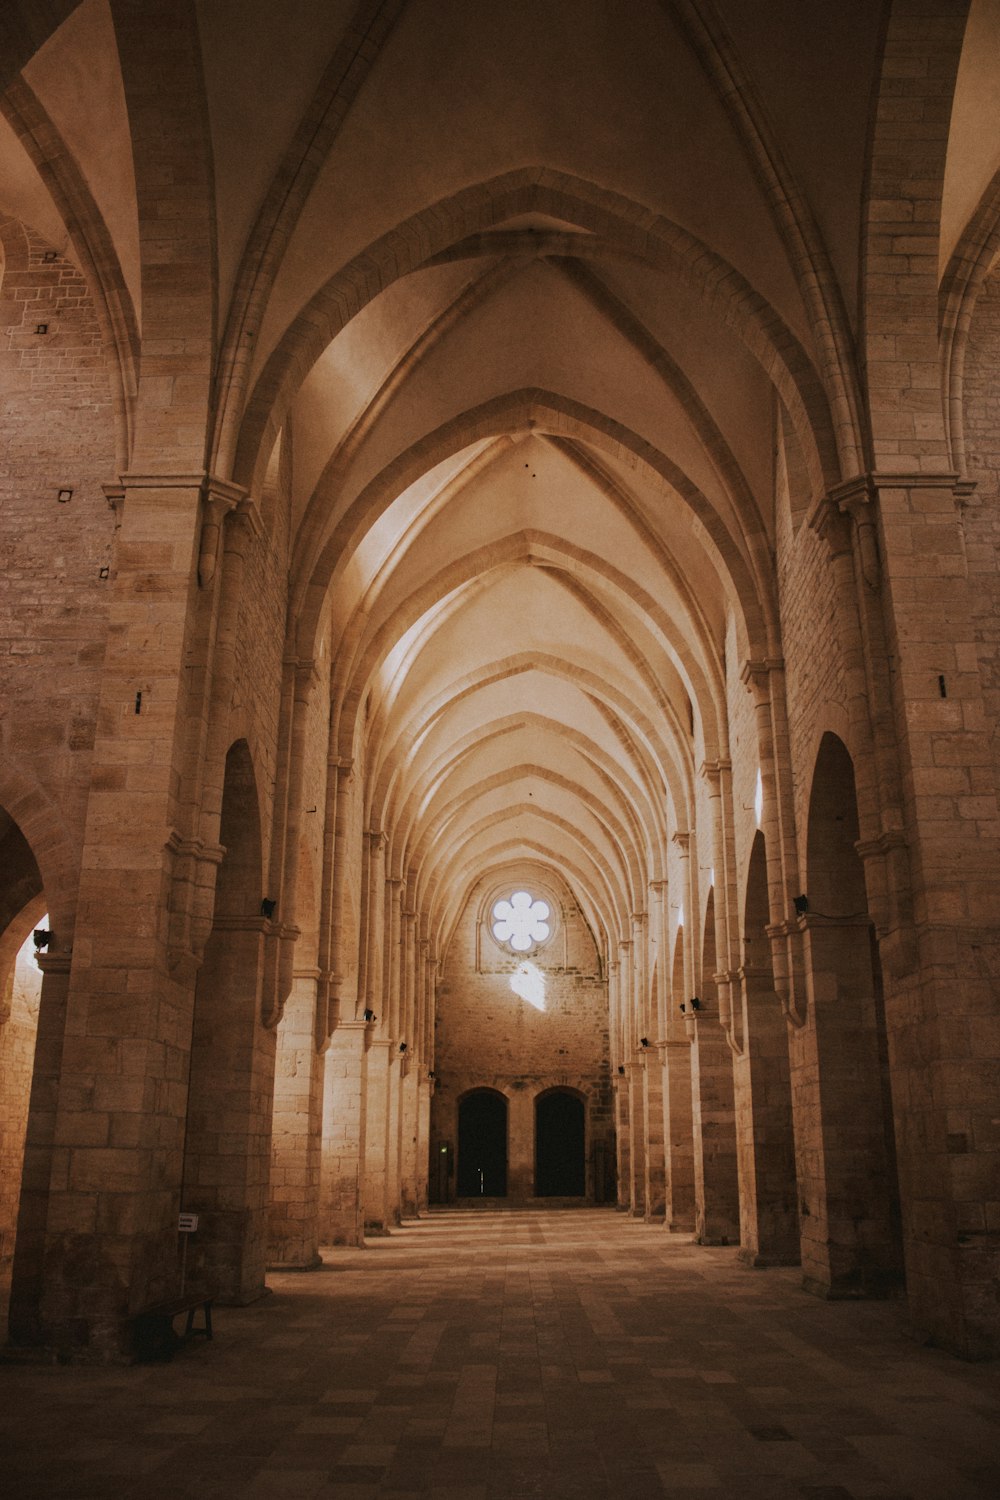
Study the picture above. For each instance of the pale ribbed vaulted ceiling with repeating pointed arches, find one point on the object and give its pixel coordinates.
(543, 314)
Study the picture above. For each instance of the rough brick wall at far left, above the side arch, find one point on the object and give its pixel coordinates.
(58, 434)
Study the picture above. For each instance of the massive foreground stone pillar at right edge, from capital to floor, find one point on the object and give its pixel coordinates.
(930, 848)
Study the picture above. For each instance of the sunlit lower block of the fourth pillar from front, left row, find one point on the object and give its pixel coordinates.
(341, 1202)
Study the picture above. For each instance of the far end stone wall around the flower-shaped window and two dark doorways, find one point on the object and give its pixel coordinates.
(490, 1037)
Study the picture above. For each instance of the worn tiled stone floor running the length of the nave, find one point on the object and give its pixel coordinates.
(476, 1357)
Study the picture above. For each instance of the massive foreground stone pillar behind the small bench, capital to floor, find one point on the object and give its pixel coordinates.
(112, 1241)
